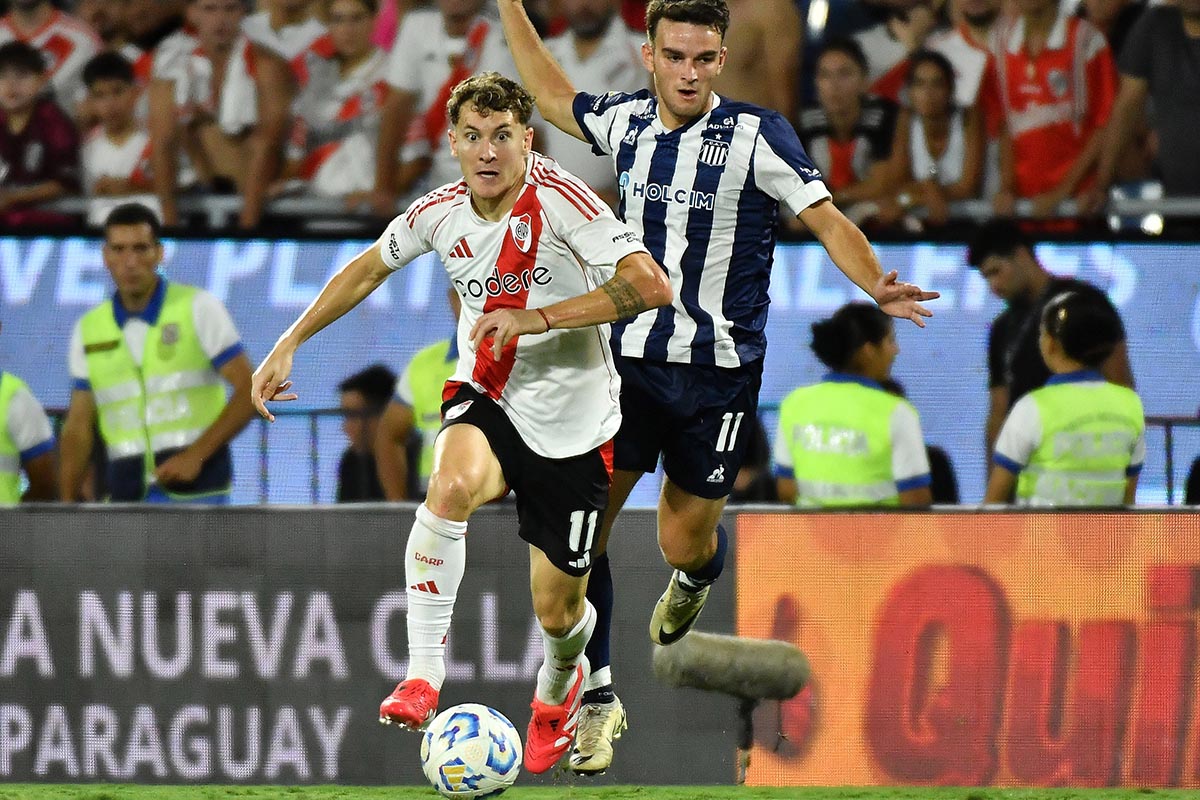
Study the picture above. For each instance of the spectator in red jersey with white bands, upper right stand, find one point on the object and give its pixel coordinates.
(1058, 86)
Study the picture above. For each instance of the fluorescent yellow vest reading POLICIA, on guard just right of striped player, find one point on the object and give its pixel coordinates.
(839, 434)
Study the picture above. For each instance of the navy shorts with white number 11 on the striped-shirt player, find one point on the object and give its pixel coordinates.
(699, 418)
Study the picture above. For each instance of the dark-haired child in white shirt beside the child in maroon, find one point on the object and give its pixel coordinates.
(117, 153)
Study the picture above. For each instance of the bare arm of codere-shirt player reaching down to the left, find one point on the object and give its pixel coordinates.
(344, 292)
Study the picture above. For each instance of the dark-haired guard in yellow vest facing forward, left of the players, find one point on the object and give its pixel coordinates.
(151, 365)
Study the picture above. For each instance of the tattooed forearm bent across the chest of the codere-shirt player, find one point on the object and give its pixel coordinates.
(638, 286)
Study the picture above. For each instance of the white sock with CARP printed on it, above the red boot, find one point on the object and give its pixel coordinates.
(435, 561)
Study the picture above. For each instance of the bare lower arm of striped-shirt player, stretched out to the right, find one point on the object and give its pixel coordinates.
(854, 256)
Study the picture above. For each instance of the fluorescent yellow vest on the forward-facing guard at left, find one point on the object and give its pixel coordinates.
(170, 401)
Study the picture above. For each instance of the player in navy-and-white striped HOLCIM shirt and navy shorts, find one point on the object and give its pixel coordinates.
(701, 179)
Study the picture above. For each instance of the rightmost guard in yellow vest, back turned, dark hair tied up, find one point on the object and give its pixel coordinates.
(1081, 440)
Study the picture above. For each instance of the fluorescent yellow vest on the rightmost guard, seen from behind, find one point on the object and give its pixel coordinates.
(1089, 431)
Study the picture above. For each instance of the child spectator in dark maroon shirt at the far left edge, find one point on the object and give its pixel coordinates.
(39, 145)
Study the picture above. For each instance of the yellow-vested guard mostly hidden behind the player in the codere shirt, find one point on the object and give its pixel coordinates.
(416, 405)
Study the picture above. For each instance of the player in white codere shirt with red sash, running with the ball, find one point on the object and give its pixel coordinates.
(533, 402)
